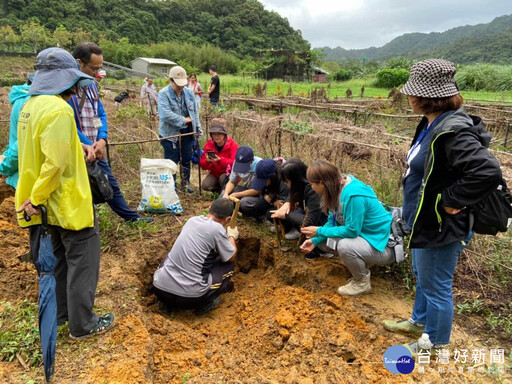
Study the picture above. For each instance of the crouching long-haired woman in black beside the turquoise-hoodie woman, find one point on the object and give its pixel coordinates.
(302, 198)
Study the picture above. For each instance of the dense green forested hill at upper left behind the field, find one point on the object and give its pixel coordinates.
(242, 27)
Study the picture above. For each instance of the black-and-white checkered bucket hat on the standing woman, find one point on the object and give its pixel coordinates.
(432, 78)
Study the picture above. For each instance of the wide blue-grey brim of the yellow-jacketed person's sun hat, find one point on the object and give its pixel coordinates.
(56, 81)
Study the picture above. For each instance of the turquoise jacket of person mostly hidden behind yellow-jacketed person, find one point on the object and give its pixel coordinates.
(9, 161)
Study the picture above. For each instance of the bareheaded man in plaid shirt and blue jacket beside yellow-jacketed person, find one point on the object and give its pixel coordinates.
(91, 122)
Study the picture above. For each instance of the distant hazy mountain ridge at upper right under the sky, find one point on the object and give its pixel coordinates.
(468, 44)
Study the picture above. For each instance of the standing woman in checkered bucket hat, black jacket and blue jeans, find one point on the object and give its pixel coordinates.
(449, 168)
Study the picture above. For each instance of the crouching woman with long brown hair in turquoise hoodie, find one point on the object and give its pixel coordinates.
(357, 228)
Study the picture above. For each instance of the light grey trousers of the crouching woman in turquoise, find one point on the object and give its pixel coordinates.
(358, 255)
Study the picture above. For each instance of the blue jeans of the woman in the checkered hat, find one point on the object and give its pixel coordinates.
(433, 305)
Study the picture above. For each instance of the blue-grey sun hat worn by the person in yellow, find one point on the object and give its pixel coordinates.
(56, 71)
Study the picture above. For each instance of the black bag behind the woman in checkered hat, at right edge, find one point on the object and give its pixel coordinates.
(494, 213)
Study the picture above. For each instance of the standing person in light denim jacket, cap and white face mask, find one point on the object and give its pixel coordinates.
(177, 109)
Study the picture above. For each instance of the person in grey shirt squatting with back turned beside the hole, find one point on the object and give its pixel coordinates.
(199, 267)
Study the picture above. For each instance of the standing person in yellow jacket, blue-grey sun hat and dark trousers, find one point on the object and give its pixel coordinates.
(52, 172)
